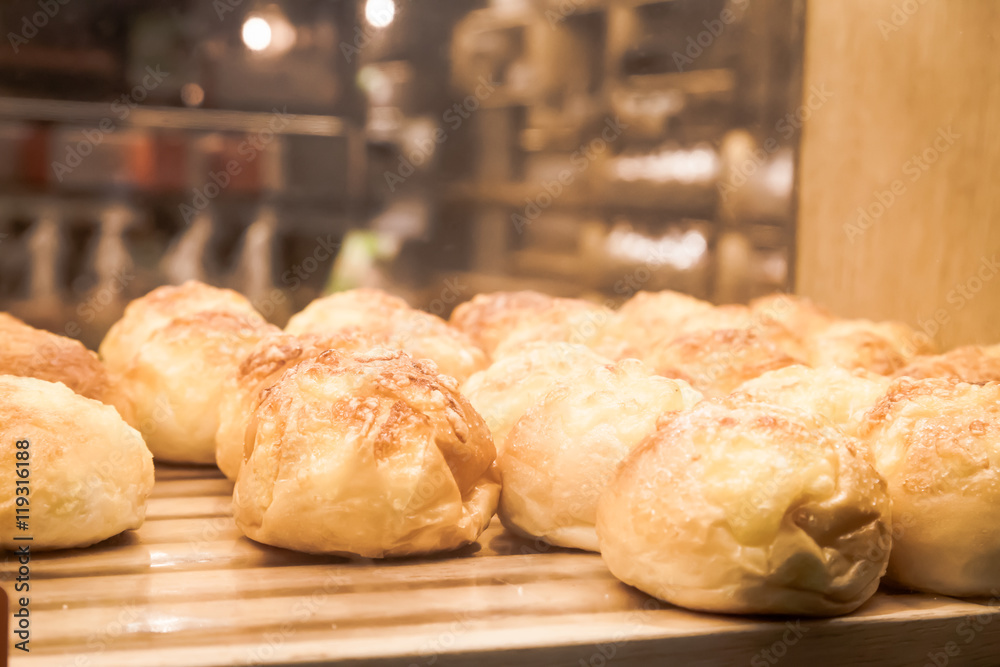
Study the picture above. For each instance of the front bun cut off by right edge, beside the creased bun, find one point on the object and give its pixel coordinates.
(937, 442)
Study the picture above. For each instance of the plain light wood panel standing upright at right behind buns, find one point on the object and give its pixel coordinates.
(897, 83)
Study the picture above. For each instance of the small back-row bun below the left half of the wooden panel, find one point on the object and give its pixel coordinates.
(879, 347)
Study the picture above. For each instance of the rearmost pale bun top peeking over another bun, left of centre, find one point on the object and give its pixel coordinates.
(369, 310)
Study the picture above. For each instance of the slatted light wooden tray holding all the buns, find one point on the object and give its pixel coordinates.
(188, 589)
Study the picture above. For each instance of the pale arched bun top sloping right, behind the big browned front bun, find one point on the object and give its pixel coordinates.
(395, 325)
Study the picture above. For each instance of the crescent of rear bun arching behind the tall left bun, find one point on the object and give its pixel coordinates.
(147, 314)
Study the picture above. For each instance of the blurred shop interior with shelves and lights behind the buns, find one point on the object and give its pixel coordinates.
(435, 149)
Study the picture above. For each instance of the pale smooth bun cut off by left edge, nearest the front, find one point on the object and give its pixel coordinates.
(89, 473)
